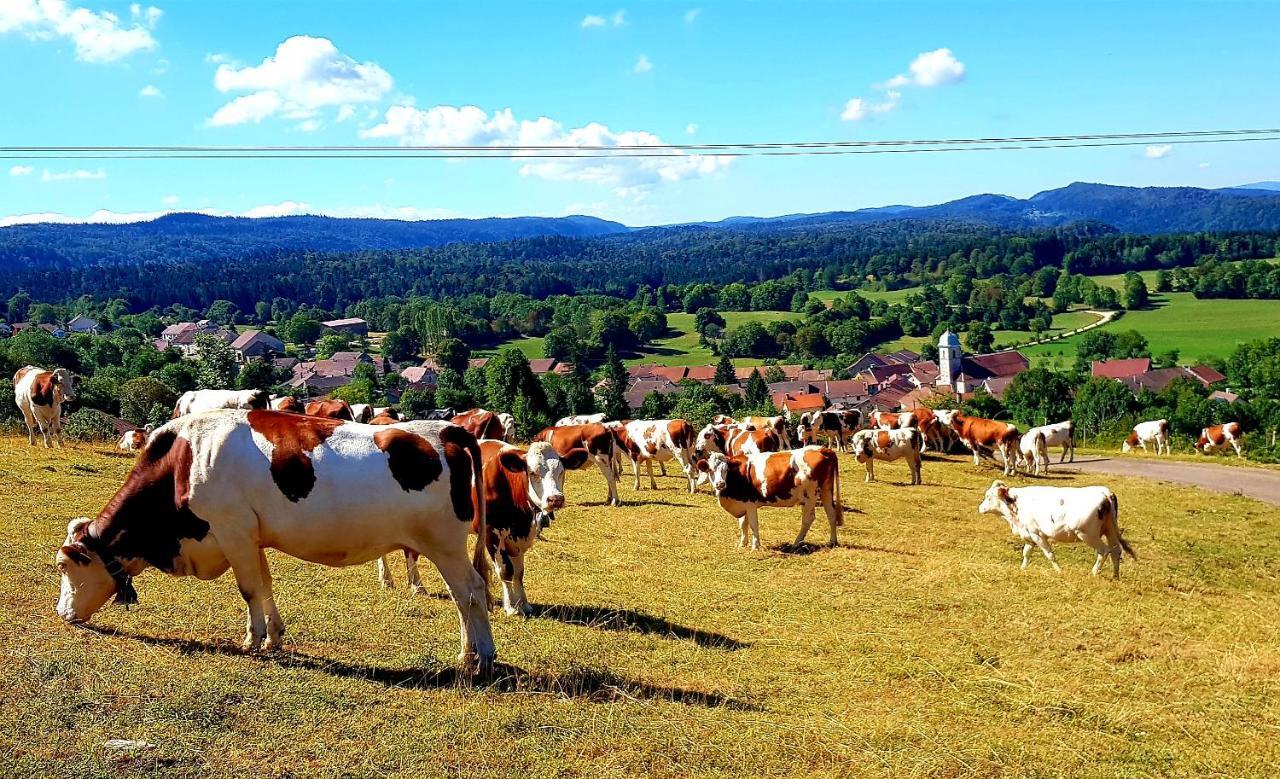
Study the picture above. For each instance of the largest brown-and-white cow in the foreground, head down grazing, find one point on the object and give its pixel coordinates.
(212, 492)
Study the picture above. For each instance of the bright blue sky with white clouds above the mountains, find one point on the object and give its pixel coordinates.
(102, 72)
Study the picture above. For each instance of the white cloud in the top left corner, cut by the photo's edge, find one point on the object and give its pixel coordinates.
(99, 36)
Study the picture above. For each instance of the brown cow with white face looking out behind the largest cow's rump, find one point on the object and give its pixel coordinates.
(523, 491)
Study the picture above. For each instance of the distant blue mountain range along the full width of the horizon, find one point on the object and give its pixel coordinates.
(200, 237)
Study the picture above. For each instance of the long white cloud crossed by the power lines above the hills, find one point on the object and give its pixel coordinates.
(472, 126)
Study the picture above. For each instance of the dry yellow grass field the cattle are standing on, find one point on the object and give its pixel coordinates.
(916, 649)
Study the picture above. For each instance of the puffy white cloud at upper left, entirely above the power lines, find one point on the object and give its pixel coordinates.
(304, 76)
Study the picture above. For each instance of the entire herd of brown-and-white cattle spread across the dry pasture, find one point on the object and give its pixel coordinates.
(236, 473)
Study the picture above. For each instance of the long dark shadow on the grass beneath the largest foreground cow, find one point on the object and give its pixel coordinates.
(588, 685)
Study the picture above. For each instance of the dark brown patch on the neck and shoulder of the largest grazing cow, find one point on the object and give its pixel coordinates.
(149, 516)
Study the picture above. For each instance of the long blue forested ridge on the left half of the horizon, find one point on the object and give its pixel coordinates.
(198, 237)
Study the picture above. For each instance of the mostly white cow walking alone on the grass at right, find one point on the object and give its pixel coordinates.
(1043, 515)
